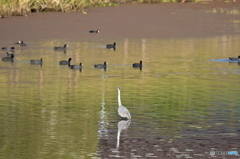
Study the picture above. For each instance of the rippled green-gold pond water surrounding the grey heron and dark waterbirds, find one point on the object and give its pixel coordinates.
(184, 102)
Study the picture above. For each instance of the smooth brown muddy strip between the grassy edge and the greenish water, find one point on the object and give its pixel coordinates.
(166, 20)
